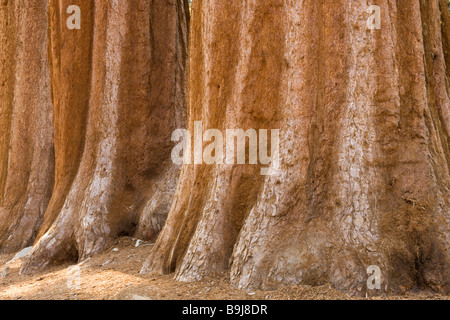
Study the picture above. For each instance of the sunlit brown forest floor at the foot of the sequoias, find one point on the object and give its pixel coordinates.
(115, 275)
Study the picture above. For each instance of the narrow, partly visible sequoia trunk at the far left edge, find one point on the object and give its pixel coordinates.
(26, 134)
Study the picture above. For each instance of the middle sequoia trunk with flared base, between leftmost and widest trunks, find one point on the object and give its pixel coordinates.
(118, 93)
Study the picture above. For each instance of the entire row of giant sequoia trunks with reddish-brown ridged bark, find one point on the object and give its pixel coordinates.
(87, 116)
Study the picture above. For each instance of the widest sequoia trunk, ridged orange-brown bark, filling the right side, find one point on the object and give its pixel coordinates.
(364, 146)
